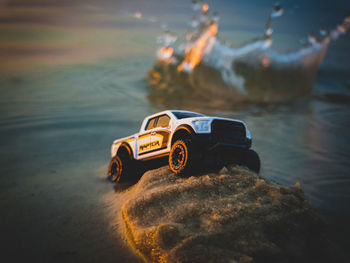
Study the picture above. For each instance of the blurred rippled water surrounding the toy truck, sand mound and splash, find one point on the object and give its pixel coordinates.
(72, 79)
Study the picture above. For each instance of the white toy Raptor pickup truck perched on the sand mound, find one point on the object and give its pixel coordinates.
(187, 139)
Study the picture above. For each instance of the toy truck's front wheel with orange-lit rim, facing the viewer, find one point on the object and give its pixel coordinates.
(180, 157)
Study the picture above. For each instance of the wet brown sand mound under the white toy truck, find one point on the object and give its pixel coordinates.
(233, 216)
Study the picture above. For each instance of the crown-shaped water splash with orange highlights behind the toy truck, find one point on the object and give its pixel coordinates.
(252, 72)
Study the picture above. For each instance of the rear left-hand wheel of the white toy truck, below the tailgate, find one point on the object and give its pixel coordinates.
(120, 168)
